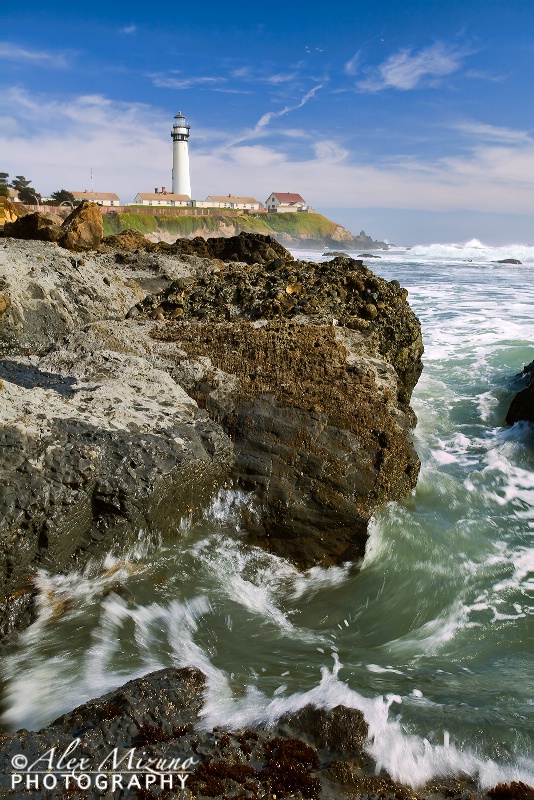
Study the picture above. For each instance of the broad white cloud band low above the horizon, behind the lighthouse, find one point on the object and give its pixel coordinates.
(56, 143)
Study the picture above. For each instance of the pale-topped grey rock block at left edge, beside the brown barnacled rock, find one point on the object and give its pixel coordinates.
(98, 444)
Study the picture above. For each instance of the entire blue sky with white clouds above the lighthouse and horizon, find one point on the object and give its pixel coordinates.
(412, 119)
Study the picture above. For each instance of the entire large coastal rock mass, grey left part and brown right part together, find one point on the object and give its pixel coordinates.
(290, 378)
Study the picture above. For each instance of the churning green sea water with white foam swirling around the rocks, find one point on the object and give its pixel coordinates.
(431, 637)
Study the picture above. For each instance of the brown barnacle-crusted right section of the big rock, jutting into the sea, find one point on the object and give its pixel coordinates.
(309, 368)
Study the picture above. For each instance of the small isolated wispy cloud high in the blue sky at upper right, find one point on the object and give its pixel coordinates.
(407, 70)
